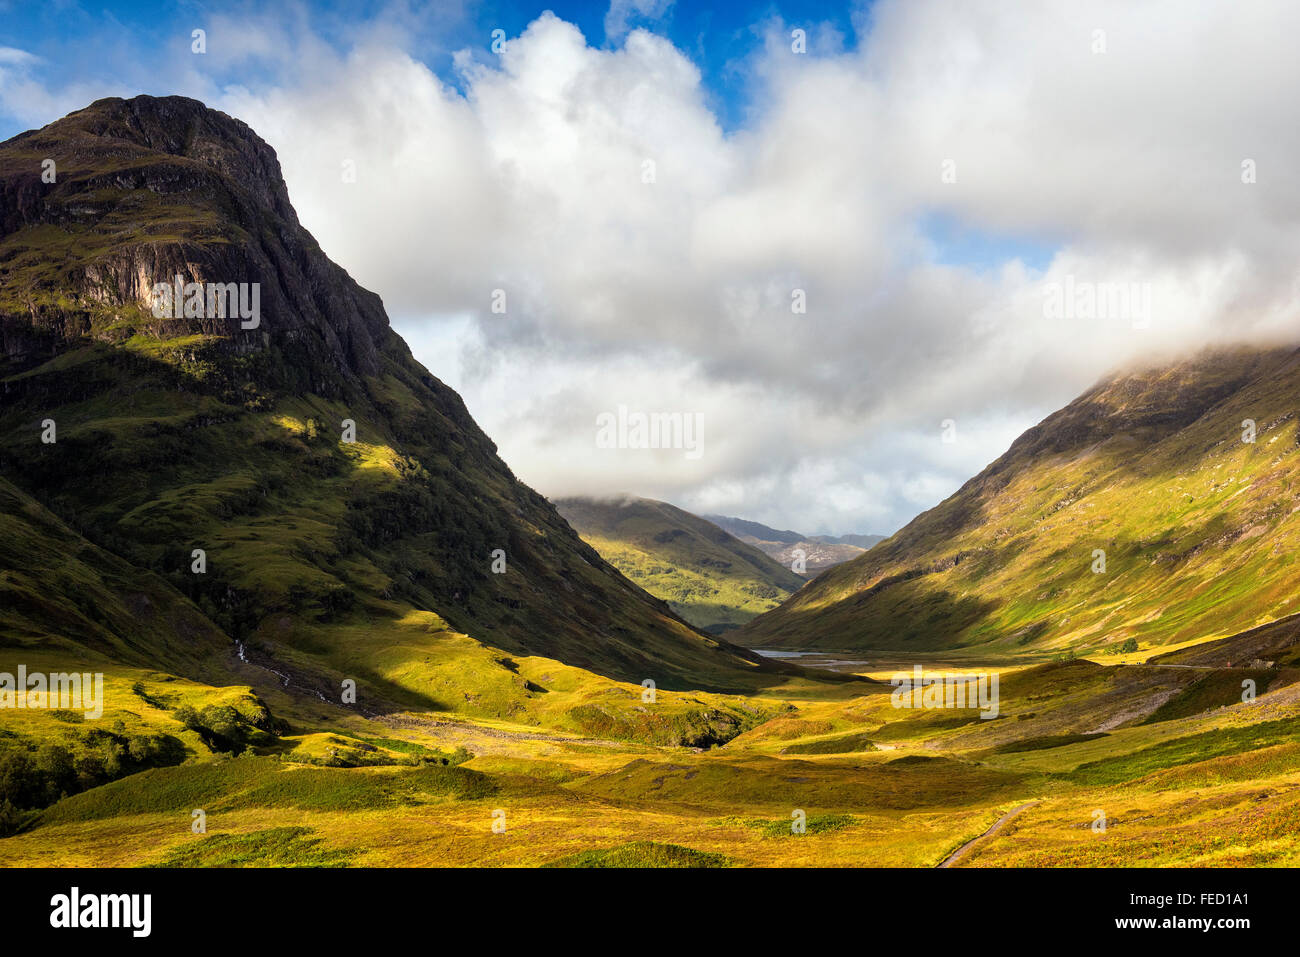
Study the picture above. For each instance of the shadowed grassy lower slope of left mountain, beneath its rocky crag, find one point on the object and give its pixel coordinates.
(157, 458)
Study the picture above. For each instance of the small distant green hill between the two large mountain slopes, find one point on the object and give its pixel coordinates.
(708, 577)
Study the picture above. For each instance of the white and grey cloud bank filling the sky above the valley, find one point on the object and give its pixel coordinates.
(982, 209)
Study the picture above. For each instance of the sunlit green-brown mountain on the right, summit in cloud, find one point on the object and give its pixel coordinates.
(1150, 471)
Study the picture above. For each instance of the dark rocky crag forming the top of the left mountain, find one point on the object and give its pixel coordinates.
(183, 192)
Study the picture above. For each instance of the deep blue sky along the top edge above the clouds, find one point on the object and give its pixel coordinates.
(94, 42)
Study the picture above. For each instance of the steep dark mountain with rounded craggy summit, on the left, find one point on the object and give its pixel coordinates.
(189, 434)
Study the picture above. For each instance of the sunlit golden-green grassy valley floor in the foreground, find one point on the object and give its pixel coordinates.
(1086, 765)
